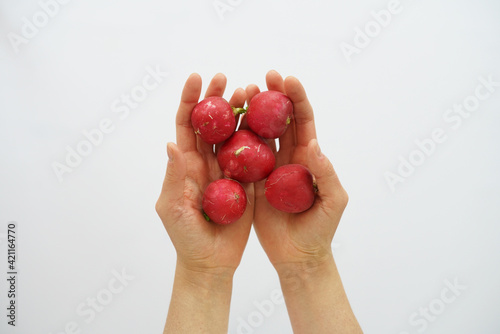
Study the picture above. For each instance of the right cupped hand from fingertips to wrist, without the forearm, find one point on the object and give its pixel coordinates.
(304, 238)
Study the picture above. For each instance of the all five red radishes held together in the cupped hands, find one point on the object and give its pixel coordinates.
(246, 157)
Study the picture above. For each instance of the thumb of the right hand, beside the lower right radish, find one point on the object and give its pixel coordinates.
(330, 191)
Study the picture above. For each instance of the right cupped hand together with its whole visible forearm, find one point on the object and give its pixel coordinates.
(299, 245)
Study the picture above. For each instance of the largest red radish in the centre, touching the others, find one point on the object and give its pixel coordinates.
(246, 157)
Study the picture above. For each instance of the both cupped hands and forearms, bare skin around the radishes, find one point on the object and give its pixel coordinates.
(298, 245)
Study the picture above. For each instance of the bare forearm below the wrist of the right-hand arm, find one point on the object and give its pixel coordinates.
(316, 299)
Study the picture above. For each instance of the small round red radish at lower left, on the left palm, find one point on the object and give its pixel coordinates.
(224, 201)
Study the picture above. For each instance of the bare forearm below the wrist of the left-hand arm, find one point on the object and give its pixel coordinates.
(200, 302)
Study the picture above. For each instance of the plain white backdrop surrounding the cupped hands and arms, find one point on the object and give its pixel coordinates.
(395, 249)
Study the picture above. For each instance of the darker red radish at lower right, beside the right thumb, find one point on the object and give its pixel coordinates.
(290, 188)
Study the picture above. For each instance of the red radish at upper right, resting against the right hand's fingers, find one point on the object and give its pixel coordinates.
(269, 114)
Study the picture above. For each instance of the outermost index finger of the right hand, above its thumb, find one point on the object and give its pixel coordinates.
(302, 109)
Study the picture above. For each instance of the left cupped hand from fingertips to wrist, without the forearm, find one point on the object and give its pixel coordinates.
(192, 165)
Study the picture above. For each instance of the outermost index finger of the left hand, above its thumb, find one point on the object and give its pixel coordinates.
(186, 138)
